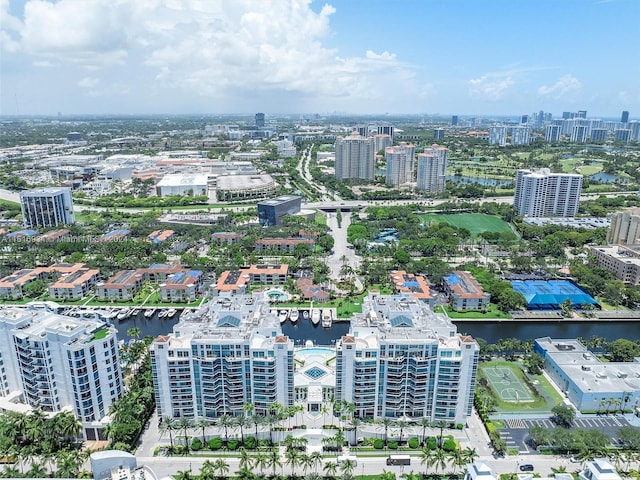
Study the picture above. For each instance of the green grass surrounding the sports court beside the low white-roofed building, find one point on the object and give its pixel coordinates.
(544, 401)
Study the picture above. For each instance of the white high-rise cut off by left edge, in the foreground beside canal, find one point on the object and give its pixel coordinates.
(58, 362)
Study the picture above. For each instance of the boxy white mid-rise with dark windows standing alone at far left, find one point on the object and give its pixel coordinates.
(47, 207)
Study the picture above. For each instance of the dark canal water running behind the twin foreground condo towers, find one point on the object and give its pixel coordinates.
(492, 332)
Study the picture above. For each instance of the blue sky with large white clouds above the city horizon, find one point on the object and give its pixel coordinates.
(426, 57)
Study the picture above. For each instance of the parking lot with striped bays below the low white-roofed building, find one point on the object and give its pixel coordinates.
(517, 429)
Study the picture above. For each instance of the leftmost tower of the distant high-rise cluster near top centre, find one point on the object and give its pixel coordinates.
(355, 157)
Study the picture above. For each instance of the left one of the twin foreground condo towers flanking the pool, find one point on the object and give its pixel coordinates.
(226, 354)
